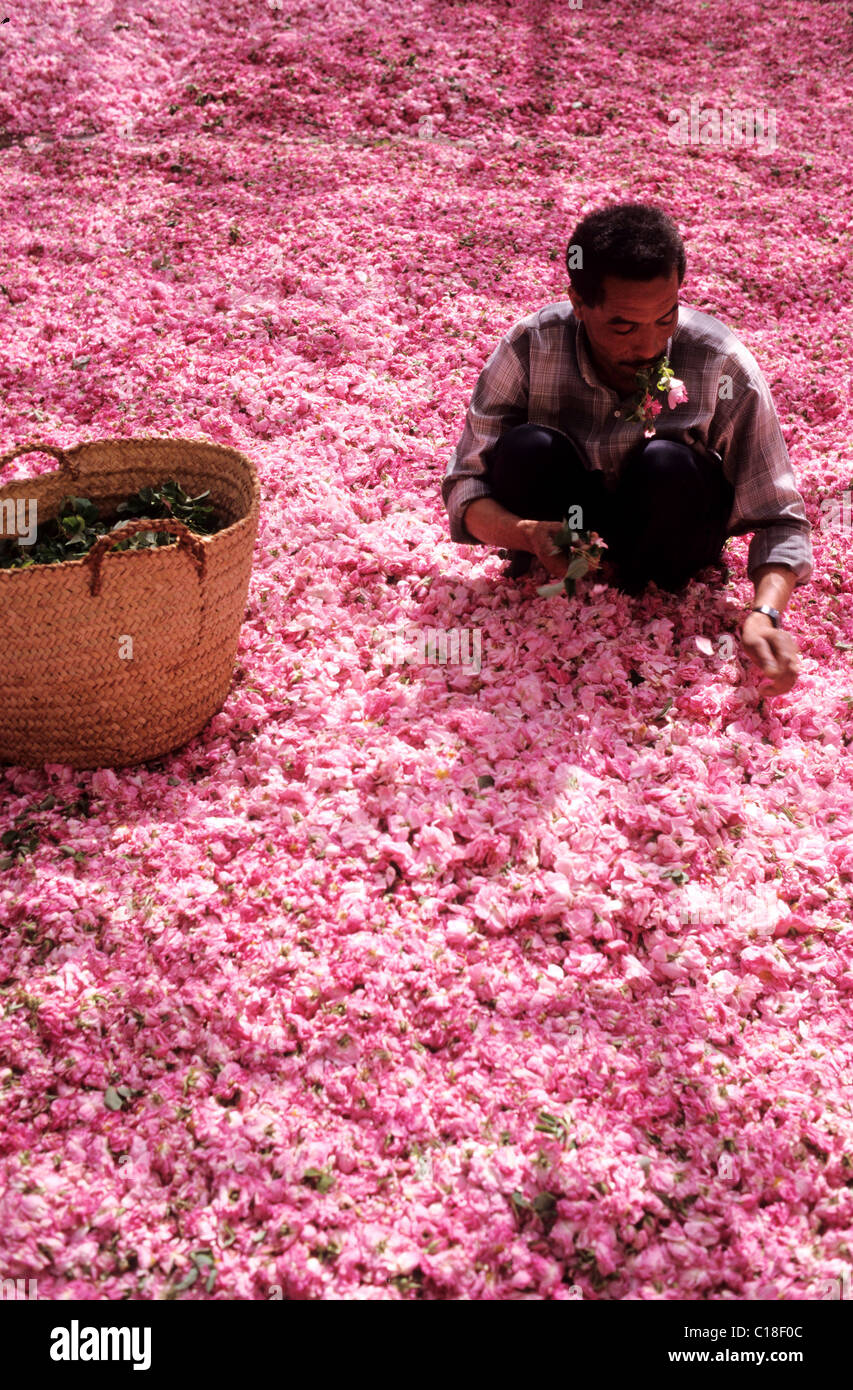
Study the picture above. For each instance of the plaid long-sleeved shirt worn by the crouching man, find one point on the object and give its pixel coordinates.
(543, 372)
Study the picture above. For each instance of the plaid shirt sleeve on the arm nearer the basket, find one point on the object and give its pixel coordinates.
(498, 405)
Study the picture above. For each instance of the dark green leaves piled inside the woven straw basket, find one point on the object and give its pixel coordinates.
(78, 526)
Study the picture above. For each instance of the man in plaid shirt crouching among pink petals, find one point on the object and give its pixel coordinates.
(649, 418)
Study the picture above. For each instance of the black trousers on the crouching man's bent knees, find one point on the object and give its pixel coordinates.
(666, 521)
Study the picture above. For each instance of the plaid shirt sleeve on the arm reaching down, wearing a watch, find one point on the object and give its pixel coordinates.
(748, 436)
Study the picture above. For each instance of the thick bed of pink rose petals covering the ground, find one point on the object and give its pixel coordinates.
(347, 950)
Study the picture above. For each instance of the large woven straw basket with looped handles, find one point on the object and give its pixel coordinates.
(124, 657)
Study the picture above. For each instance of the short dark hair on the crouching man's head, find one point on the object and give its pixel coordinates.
(633, 241)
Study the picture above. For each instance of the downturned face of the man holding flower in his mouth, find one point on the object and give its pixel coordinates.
(630, 330)
